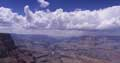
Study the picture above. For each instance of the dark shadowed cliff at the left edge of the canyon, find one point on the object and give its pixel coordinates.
(6, 44)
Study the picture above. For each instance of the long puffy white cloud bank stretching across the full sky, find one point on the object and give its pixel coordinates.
(103, 19)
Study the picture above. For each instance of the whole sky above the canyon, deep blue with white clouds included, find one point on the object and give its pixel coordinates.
(33, 16)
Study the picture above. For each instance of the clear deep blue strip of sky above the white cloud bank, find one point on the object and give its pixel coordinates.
(66, 5)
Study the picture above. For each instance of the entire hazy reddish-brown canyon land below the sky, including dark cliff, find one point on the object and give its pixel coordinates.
(83, 49)
